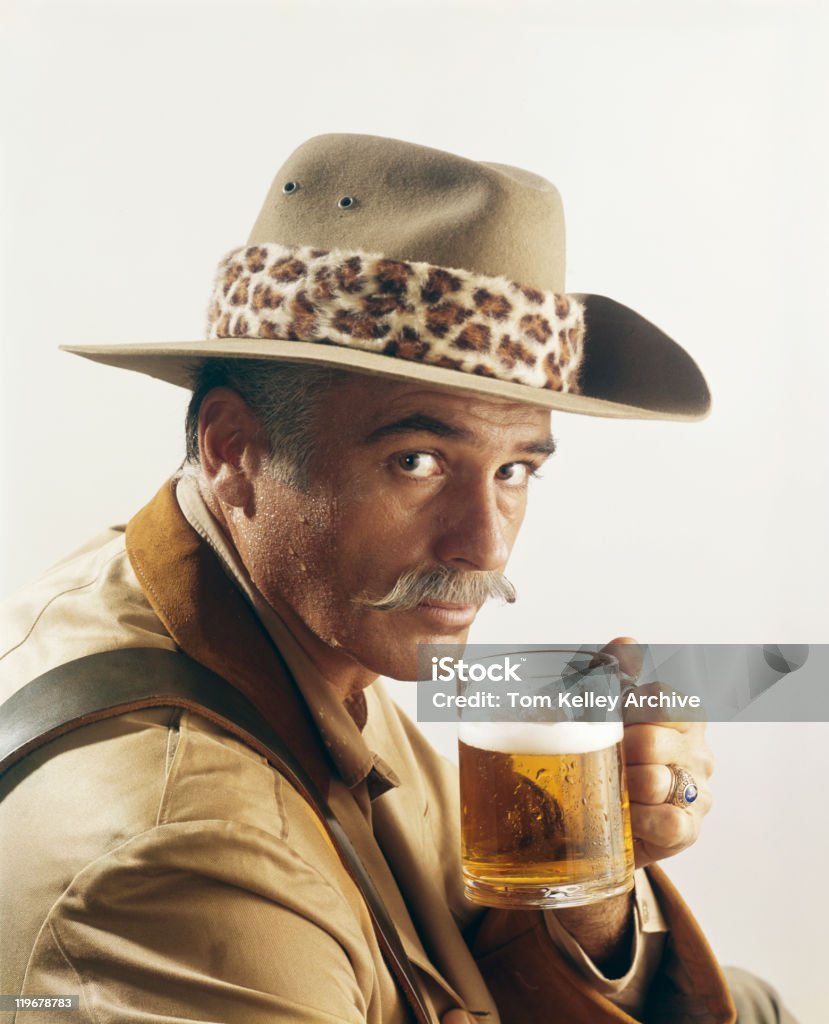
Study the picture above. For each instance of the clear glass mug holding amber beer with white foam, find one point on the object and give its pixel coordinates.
(545, 810)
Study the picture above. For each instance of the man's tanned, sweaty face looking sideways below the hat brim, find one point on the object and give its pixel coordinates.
(404, 478)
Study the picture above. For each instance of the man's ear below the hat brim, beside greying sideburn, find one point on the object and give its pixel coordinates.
(231, 447)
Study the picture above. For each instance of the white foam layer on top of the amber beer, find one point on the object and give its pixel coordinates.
(541, 738)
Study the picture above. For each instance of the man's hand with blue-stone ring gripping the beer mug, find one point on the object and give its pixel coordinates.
(662, 830)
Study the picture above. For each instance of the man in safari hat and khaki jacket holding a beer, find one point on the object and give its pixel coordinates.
(367, 414)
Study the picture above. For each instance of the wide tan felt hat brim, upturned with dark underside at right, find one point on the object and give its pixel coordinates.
(632, 369)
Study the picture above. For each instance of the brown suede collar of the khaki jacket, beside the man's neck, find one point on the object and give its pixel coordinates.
(209, 619)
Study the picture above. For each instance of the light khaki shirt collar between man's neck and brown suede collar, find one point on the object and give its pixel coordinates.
(352, 755)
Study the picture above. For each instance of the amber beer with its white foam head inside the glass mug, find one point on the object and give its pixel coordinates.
(545, 814)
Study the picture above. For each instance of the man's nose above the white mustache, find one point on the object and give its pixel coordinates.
(474, 532)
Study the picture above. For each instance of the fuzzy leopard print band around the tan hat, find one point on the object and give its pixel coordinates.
(408, 311)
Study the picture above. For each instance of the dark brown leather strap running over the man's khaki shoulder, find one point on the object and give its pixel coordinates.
(117, 682)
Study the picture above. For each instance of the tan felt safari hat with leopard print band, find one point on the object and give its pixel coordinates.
(389, 259)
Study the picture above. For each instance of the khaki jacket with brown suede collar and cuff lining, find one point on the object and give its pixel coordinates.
(161, 870)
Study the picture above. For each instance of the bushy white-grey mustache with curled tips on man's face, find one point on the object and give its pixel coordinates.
(440, 583)
